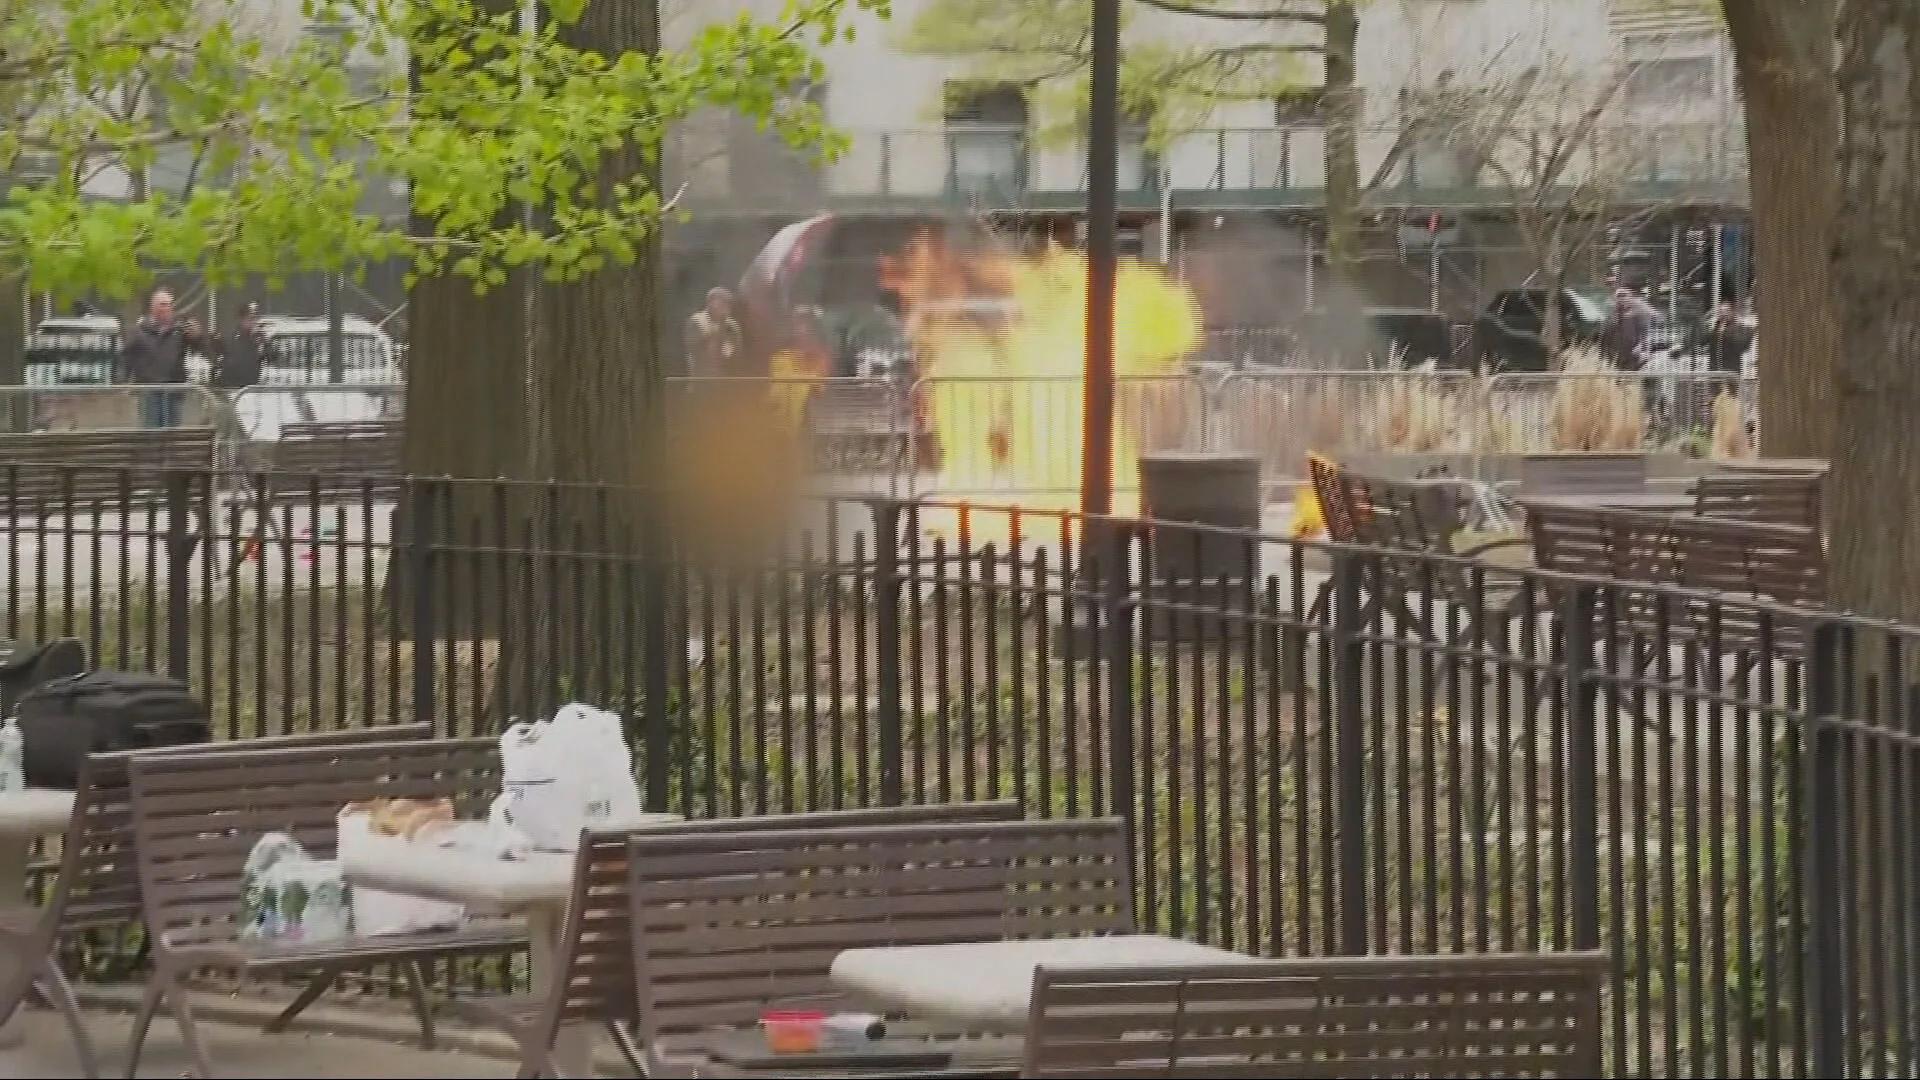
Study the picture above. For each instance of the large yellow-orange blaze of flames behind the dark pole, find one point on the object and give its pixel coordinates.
(1005, 335)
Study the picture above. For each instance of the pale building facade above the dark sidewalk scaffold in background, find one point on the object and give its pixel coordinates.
(919, 145)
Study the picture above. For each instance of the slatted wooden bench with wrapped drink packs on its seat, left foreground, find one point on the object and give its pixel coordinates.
(199, 818)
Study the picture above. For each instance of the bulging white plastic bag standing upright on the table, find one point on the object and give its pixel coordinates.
(564, 775)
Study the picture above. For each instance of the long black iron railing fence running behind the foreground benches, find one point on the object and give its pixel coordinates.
(1320, 750)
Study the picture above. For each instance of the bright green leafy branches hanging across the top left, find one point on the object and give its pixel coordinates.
(287, 145)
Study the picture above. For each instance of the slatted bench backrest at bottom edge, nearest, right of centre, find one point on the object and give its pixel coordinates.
(1351, 1018)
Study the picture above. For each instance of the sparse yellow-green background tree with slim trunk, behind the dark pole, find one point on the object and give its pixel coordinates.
(1172, 82)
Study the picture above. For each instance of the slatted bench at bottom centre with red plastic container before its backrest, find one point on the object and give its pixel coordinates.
(727, 927)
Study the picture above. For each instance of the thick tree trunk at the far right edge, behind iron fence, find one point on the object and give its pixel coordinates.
(1875, 545)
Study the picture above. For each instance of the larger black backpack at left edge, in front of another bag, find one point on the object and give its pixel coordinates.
(101, 712)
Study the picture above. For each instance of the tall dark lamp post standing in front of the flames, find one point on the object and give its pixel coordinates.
(1103, 228)
